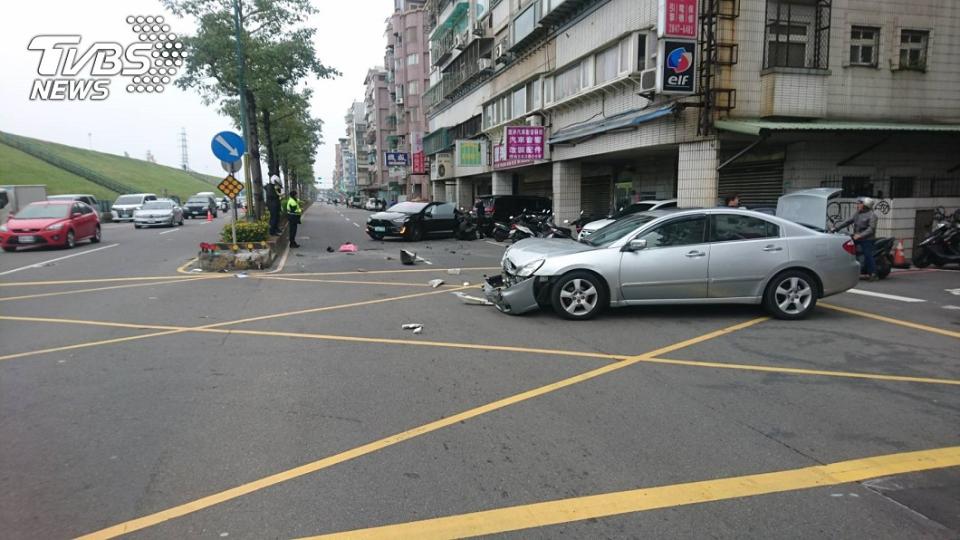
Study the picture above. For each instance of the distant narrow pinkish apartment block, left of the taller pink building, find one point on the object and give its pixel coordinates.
(381, 123)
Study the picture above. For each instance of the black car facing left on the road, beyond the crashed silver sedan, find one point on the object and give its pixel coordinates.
(414, 221)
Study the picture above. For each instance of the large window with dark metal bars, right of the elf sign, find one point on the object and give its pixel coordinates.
(797, 34)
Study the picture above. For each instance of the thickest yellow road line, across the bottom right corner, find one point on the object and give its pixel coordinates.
(528, 516)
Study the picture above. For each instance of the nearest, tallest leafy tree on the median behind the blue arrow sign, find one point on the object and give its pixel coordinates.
(278, 54)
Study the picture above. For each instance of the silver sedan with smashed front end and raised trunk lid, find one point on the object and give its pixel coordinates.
(716, 255)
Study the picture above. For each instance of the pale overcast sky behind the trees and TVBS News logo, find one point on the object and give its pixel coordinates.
(349, 38)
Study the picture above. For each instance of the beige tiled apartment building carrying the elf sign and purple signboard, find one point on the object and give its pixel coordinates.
(599, 102)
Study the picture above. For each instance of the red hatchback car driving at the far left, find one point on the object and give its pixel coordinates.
(50, 223)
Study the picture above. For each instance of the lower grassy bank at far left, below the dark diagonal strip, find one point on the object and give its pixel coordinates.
(17, 167)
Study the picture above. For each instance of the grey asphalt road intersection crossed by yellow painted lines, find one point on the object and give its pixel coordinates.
(139, 400)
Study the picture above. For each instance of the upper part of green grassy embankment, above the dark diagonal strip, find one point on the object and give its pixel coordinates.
(138, 174)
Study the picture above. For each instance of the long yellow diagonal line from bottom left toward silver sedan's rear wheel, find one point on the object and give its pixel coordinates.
(283, 476)
